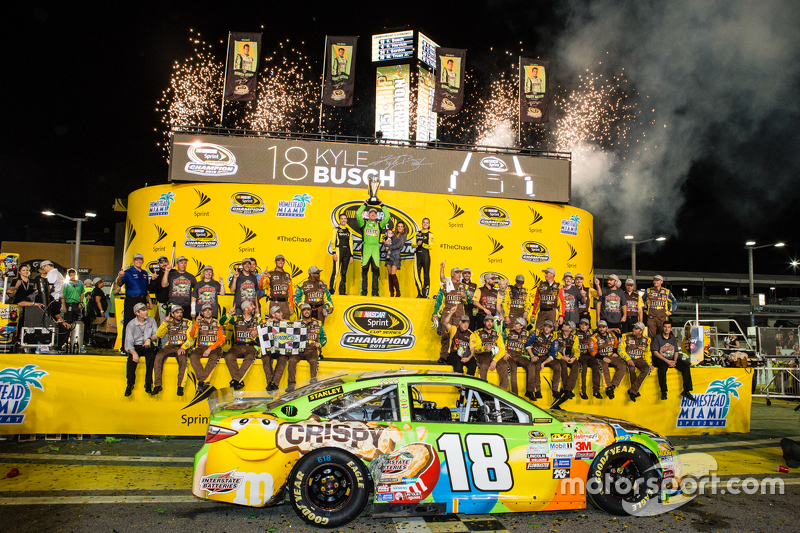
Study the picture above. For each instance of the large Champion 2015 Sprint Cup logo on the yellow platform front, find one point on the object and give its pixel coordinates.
(377, 327)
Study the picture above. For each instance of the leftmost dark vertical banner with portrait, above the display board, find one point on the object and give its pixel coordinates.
(241, 75)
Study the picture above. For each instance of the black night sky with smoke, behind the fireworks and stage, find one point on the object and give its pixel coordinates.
(722, 80)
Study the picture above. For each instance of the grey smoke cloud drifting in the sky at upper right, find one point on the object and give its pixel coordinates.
(717, 82)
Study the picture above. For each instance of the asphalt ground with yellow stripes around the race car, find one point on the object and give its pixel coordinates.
(143, 484)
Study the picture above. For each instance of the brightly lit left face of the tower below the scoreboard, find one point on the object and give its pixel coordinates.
(392, 101)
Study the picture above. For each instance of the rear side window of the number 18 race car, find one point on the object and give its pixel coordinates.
(370, 403)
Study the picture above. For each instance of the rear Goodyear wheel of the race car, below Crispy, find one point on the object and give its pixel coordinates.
(329, 487)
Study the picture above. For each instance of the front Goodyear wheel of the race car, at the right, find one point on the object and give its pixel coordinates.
(623, 479)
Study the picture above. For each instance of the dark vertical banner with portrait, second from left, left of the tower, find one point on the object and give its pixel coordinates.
(340, 71)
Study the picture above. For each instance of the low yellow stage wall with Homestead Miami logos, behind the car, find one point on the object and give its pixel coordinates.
(83, 394)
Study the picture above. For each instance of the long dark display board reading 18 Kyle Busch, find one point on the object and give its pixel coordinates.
(223, 159)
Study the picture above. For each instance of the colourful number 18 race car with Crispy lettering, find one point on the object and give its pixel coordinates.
(422, 443)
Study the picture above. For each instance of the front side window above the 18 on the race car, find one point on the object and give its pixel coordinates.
(453, 403)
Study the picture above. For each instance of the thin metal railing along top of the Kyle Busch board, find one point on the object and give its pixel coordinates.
(350, 139)
